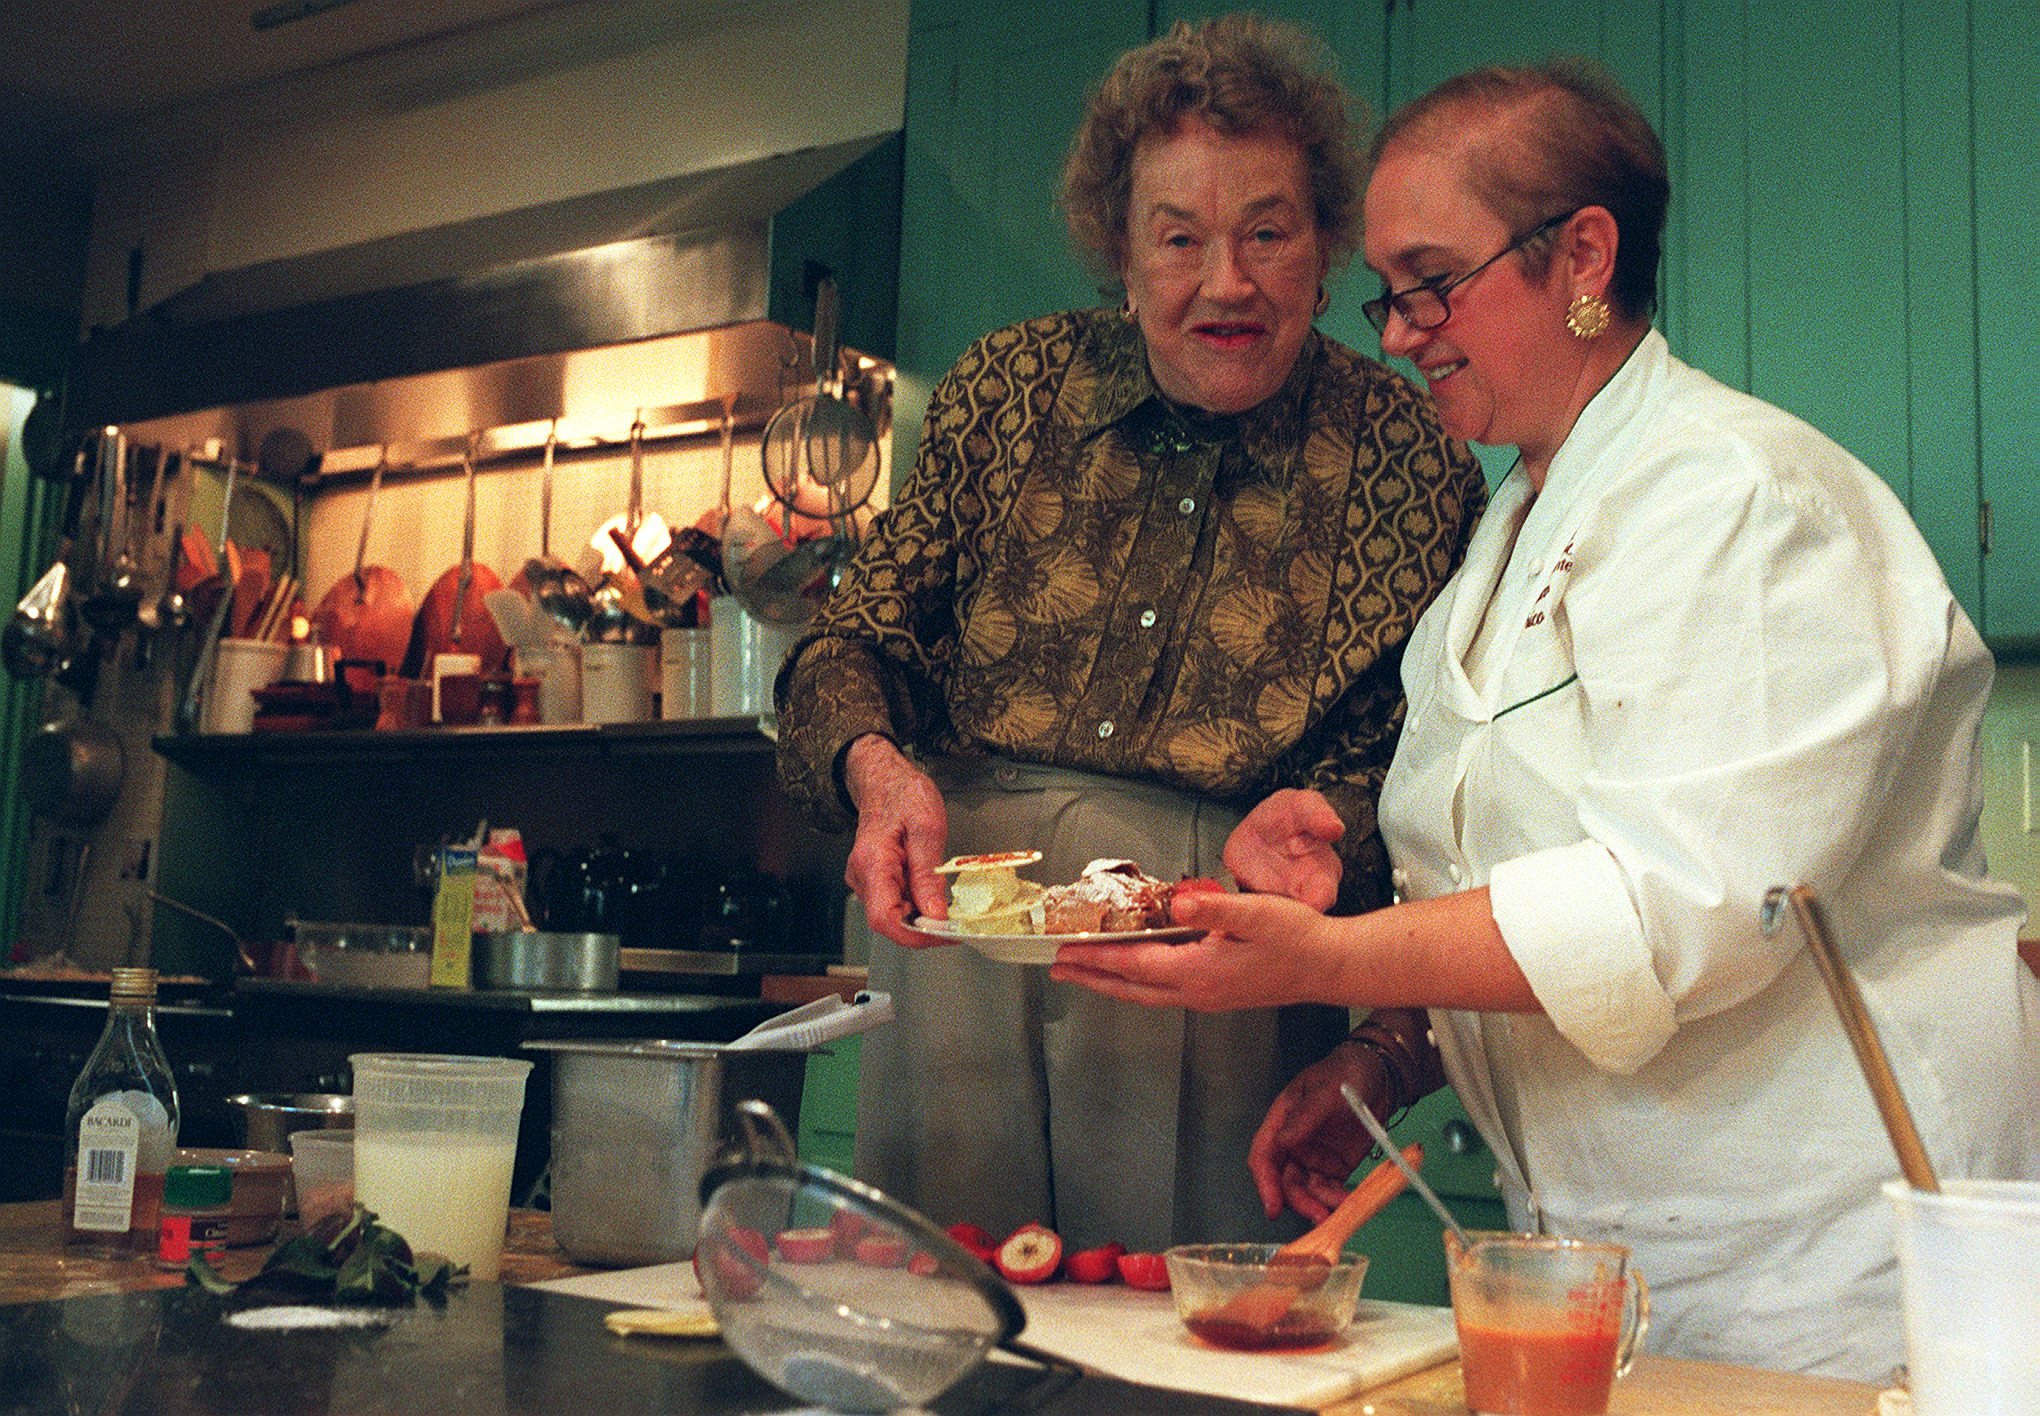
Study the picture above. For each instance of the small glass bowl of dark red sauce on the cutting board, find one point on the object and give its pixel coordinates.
(1233, 1297)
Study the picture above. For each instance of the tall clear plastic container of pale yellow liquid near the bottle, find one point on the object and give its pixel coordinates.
(436, 1144)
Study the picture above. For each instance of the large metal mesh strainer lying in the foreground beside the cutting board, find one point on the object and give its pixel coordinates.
(835, 1293)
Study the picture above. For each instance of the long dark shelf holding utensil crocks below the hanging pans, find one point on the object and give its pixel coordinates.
(221, 752)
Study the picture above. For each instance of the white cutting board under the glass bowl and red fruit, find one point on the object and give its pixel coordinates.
(1137, 1337)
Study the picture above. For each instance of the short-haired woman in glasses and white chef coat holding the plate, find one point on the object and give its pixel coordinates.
(1696, 652)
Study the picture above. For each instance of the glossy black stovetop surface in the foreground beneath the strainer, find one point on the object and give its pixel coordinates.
(491, 1352)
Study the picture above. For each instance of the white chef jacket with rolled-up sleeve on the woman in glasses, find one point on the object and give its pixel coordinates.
(1725, 662)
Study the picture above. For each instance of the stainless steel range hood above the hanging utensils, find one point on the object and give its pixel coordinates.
(707, 252)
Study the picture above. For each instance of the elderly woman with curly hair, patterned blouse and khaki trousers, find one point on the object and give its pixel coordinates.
(1154, 564)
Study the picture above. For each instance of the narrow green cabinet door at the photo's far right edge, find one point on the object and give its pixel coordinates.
(2006, 46)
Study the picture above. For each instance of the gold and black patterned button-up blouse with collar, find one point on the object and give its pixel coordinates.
(1084, 574)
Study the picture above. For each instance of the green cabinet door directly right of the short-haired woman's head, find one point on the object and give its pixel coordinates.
(1792, 197)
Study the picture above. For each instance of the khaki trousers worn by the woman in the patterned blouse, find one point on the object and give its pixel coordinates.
(999, 1097)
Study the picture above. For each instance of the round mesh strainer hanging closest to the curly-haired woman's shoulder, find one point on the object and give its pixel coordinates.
(821, 452)
